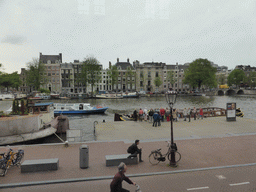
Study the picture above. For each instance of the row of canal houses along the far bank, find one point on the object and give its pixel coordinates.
(61, 77)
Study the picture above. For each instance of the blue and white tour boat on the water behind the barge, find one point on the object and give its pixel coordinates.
(77, 108)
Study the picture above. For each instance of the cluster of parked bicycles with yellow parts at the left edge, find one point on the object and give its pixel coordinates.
(11, 159)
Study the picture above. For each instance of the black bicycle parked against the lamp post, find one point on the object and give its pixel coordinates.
(156, 156)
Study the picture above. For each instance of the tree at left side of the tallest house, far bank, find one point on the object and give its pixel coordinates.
(35, 73)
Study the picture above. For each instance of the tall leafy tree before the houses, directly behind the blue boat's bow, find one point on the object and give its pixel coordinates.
(91, 71)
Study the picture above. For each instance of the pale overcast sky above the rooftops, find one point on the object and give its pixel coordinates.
(168, 31)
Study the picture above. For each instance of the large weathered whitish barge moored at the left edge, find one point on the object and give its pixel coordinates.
(38, 123)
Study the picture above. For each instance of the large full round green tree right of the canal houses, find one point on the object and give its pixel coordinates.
(200, 72)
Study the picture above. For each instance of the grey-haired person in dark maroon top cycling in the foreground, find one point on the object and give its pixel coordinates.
(116, 184)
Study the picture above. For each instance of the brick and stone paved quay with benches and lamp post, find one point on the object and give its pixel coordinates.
(202, 143)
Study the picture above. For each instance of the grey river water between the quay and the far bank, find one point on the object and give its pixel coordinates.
(126, 106)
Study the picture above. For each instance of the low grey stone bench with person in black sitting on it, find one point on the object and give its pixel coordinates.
(115, 160)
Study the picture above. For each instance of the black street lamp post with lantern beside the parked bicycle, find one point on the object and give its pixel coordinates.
(171, 96)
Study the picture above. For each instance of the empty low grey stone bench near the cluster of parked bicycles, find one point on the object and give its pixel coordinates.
(39, 165)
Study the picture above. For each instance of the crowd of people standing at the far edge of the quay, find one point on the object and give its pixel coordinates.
(158, 115)
